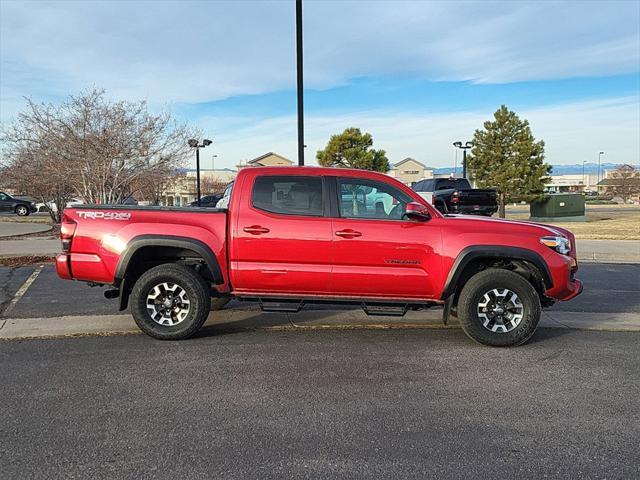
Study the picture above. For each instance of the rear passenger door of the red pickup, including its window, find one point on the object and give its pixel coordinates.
(282, 240)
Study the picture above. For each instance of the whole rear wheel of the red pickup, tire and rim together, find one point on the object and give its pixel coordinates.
(170, 302)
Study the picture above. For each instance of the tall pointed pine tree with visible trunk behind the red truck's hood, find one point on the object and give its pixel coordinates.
(506, 156)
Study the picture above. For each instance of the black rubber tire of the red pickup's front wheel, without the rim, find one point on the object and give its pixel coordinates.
(472, 294)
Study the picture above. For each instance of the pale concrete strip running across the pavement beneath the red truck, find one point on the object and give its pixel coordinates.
(237, 320)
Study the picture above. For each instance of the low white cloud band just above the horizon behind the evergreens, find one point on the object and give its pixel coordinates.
(572, 133)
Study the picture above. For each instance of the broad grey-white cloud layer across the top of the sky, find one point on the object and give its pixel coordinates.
(174, 51)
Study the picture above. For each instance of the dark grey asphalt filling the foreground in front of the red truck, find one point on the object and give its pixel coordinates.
(355, 404)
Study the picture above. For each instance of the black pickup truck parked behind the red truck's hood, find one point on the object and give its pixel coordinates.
(455, 195)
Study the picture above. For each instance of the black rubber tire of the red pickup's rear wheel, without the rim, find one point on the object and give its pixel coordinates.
(196, 290)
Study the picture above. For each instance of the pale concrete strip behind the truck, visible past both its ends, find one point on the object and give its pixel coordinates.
(600, 251)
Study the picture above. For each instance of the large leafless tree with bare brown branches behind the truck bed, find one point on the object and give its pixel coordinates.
(100, 150)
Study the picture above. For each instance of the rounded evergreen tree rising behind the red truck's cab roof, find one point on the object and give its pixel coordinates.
(352, 149)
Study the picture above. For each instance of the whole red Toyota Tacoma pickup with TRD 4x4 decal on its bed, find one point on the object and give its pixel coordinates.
(296, 235)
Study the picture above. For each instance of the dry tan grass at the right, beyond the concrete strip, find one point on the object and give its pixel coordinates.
(604, 222)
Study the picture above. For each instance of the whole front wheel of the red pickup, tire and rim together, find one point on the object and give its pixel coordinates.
(499, 308)
